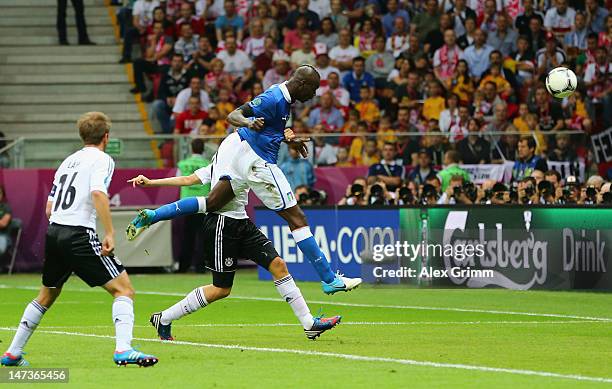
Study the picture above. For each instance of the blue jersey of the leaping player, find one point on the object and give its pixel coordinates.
(275, 107)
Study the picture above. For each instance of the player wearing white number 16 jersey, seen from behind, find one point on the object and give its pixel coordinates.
(80, 195)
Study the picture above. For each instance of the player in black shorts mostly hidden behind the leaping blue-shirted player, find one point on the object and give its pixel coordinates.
(230, 235)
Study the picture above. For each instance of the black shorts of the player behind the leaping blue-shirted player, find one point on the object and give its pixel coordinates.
(226, 240)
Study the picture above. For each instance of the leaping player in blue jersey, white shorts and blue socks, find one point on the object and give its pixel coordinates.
(247, 158)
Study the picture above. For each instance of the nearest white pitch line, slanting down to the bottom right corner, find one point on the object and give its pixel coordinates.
(352, 357)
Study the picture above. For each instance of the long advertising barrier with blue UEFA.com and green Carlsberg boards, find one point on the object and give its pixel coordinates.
(511, 247)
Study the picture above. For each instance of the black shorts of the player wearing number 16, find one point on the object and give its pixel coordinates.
(75, 249)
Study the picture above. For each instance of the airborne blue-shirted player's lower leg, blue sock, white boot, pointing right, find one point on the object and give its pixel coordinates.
(330, 282)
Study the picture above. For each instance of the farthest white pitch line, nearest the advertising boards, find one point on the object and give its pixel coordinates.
(358, 305)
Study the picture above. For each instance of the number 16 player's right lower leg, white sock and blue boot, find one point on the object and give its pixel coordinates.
(123, 316)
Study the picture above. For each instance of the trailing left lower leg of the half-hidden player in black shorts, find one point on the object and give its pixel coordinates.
(195, 300)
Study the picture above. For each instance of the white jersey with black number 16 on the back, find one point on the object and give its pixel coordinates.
(83, 172)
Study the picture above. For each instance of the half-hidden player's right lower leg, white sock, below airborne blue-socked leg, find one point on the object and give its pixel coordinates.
(313, 326)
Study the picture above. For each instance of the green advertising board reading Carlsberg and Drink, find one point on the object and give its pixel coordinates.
(511, 247)
